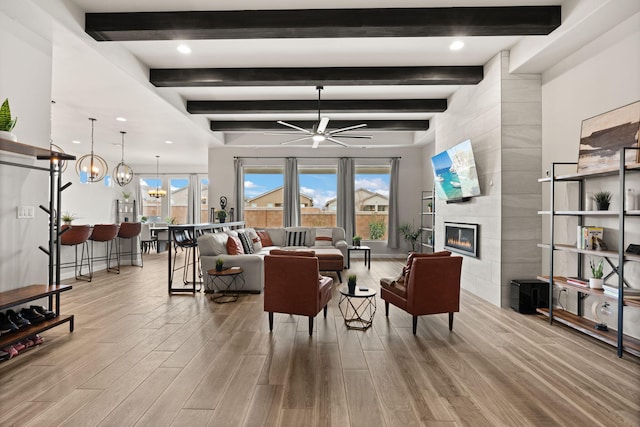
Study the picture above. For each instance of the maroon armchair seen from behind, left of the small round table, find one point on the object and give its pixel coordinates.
(293, 285)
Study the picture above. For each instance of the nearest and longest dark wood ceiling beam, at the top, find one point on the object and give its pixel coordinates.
(324, 23)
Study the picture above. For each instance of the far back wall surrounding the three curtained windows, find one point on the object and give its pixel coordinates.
(221, 174)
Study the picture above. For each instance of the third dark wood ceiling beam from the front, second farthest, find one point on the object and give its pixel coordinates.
(329, 106)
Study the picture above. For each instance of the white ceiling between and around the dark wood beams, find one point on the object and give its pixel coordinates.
(106, 80)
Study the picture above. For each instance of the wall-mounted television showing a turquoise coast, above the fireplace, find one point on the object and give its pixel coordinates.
(454, 173)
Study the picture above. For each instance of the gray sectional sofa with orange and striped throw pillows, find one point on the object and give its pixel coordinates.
(212, 246)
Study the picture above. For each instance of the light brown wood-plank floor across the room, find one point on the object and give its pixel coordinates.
(141, 357)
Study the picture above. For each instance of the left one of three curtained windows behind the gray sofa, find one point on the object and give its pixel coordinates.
(263, 196)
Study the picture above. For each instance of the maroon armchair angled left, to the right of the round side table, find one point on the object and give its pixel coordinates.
(431, 285)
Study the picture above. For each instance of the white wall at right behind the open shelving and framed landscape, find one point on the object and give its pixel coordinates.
(603, 75)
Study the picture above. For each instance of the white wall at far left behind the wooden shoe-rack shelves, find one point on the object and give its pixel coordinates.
(25, 78)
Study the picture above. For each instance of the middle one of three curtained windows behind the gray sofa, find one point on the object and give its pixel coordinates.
(318, 191)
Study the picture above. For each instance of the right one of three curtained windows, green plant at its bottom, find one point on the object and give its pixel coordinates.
(372, 201)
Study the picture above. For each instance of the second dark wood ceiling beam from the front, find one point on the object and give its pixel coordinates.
(335, 76)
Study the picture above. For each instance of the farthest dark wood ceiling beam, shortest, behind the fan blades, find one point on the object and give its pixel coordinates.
(272, 125)
